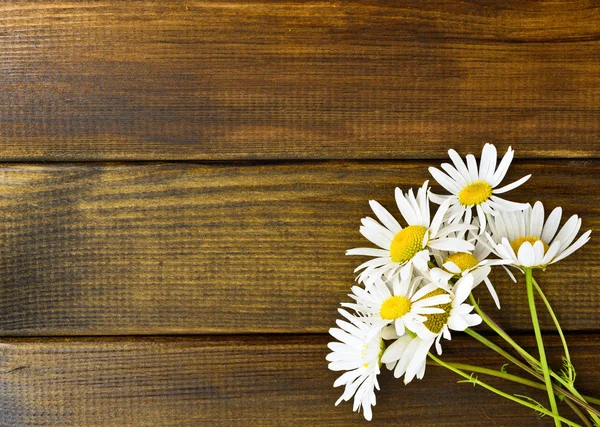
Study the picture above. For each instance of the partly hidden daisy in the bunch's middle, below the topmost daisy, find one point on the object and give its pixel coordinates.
(477, 263)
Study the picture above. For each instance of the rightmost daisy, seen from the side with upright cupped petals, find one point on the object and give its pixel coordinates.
(525, 240)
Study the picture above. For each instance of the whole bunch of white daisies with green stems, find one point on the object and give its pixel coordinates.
(416, 287)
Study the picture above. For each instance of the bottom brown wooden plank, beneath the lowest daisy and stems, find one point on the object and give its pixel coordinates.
(240, 381)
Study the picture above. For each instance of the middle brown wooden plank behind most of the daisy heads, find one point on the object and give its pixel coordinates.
(96, 249)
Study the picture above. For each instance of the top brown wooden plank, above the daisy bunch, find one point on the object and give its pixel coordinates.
(164, 80)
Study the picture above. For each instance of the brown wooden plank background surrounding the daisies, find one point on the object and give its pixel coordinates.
(180, 180)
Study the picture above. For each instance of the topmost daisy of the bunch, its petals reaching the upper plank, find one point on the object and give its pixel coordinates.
(471, 186)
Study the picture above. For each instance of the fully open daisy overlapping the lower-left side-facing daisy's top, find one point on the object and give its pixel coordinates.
(403, 306)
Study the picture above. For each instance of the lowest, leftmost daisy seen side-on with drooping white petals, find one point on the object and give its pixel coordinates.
(360, 356)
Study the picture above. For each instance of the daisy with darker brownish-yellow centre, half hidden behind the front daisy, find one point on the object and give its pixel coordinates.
(410, 354)
